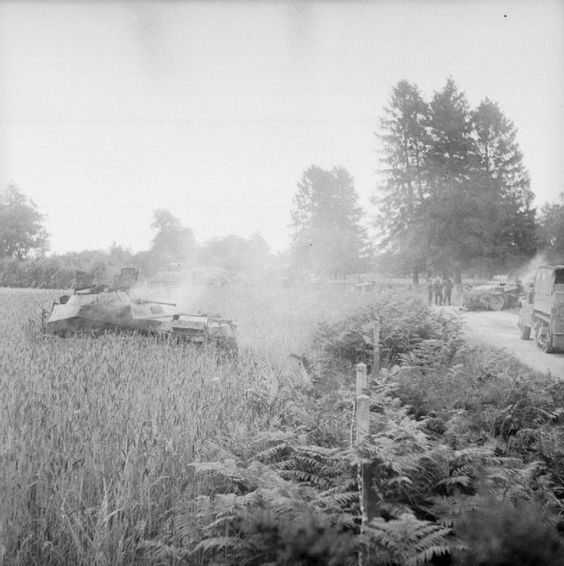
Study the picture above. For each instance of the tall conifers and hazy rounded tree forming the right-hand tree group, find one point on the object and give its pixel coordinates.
(453, 194)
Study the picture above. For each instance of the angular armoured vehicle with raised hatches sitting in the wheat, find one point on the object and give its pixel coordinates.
(93, 308)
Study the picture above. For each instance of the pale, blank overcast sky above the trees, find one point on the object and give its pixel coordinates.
(110, 110)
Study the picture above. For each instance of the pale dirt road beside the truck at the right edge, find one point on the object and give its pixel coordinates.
(499, 329)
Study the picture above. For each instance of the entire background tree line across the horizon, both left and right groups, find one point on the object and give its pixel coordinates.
(453, 193)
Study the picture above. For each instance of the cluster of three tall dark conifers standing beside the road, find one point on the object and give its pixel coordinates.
(454, 188)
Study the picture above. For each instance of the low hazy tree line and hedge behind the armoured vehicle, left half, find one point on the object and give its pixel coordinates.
(24, 262)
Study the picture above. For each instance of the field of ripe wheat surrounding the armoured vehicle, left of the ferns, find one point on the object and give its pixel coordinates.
(98, 434)
